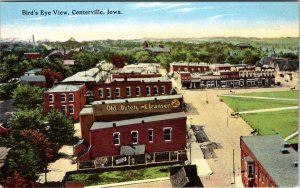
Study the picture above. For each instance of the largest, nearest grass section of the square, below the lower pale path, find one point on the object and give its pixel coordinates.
(282, 122)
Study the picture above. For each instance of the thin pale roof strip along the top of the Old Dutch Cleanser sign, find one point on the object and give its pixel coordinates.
(138, 99)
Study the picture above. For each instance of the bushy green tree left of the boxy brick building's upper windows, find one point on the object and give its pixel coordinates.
(26, 96)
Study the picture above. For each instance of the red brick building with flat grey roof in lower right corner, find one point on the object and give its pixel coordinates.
(268, 161)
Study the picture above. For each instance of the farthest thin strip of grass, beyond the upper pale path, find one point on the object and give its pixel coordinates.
(280, 94)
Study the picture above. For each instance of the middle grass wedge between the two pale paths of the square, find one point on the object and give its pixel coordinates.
(243, 104)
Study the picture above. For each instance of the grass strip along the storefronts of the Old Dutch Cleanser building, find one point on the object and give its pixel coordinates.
(121, 176)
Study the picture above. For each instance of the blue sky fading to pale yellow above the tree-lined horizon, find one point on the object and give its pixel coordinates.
(139, 20)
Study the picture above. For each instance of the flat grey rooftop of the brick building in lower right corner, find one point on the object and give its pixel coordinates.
(266, 150)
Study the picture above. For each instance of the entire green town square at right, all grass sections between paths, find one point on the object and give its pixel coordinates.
(284, 123)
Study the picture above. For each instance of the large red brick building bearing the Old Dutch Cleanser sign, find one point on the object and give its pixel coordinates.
(148, 124)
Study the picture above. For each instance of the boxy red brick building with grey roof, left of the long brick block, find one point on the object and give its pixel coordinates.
(69, 99)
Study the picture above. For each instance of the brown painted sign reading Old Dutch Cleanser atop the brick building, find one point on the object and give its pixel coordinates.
(172, 104)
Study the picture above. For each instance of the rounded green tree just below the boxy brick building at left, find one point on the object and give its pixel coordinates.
(61, 129)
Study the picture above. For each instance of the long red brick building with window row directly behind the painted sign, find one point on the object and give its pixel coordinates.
(132, 87)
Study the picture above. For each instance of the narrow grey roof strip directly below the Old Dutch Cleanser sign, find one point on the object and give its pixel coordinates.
(103, 125)
